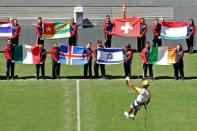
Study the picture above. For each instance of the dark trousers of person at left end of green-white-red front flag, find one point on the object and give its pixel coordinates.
(9, 66)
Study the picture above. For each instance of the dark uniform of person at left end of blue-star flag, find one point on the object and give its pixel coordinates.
(96, 66)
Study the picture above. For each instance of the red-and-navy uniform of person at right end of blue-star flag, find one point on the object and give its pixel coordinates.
(127, 62)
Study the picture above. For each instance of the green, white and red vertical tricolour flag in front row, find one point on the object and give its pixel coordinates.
(26, 54)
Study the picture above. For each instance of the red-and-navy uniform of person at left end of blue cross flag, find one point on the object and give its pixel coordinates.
(55, 52)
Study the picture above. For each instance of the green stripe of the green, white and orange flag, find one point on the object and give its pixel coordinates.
(153, 55)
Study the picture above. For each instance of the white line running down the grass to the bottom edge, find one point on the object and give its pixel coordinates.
(78, 105)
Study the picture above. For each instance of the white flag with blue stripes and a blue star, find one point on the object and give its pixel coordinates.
(109, 56)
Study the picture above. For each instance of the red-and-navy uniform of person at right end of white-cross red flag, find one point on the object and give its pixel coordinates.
(142, 39)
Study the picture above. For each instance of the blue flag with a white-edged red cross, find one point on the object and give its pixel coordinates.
(72, 55)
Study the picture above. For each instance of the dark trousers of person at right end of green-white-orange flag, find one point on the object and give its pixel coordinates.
(178, 67)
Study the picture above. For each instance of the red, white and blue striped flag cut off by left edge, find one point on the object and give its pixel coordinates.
(5, 29)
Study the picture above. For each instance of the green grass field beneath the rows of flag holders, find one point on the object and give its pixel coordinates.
(51, 105)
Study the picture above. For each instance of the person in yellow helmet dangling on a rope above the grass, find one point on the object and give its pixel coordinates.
(142, 99)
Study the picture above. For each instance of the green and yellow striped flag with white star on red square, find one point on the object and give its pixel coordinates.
(56, 30)
